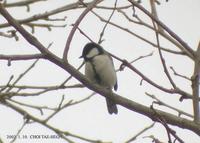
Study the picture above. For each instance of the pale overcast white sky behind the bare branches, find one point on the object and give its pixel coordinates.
(90, 119)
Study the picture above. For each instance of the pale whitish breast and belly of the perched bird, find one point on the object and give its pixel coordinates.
(105, 70)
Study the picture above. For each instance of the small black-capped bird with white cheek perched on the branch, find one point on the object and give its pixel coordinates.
(99, 69)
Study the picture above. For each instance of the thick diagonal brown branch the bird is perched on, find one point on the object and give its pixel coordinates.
(131, 105)
